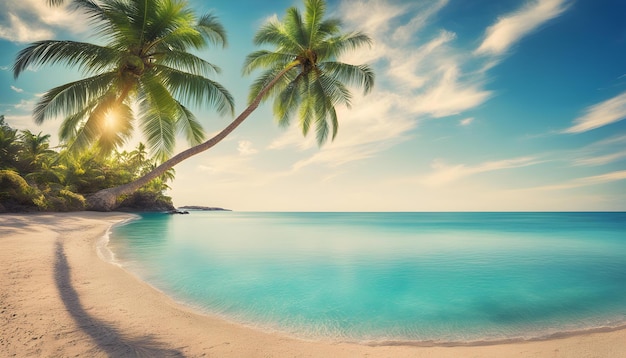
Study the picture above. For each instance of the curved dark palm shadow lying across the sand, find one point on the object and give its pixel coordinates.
(107, 337)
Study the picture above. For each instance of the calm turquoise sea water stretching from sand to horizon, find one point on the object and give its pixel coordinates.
(443, 277)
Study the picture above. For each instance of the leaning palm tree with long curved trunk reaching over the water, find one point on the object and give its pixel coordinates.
(302, 73)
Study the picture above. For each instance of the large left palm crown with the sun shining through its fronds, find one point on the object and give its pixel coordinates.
(146, 61)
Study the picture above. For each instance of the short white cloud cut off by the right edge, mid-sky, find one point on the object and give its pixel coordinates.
(602, 114)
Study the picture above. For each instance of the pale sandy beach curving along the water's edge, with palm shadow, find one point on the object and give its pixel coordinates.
(58, 299)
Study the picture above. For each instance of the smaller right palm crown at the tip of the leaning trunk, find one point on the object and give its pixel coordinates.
(313, 82)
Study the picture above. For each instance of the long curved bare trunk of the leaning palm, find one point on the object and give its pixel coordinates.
(106, 199)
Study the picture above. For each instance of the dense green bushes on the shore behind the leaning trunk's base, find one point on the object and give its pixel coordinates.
(34, 177)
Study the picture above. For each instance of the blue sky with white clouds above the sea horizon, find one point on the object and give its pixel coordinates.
(479, 105)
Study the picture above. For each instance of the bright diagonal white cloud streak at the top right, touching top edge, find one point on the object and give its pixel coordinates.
(508, 30)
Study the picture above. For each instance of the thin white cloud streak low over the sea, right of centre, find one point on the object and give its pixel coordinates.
(444, 174)
